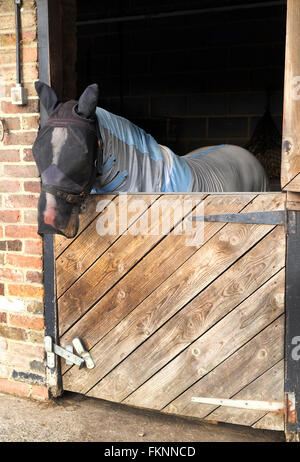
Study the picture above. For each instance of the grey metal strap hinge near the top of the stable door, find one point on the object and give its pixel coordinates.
(274, 217)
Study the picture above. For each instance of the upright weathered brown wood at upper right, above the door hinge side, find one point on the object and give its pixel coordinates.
(291, 119)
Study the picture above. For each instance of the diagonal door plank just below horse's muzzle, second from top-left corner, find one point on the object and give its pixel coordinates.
(90, 245)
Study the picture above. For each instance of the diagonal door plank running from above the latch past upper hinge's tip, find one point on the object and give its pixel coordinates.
(156, 267)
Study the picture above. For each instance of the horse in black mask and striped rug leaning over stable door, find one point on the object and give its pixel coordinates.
(84, 149)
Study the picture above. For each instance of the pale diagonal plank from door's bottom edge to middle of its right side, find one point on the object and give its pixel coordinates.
(220, 342)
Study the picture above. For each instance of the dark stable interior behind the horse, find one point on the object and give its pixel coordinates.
(191, 73)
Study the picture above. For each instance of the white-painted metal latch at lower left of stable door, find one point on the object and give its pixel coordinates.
(67, 353)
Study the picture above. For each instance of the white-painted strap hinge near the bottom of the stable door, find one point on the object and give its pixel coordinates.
(270, 406)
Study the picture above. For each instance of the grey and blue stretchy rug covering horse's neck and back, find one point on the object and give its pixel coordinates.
(134, 162)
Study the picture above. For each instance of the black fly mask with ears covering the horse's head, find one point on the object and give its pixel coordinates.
(66, 152)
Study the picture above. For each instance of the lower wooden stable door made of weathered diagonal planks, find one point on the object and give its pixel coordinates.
(165, 318)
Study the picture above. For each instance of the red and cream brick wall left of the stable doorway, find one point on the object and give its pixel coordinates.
(22, 367)
